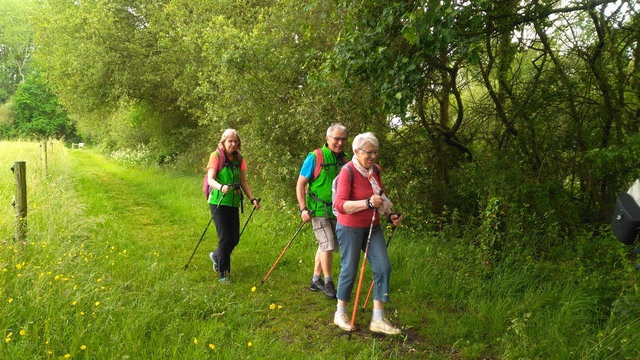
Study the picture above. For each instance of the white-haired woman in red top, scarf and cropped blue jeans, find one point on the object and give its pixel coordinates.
(359, 207)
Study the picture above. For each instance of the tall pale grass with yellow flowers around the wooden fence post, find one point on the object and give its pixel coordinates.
(36, 272)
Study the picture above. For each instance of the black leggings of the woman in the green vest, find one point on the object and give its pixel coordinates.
(227, 220)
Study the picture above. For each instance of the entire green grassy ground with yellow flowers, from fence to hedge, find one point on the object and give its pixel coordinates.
(102, 276)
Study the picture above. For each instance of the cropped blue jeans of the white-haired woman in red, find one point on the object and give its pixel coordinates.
(352, 241)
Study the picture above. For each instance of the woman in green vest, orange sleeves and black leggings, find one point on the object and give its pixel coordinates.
(225, 175)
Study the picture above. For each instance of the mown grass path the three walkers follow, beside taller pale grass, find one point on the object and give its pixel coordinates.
(148, 226)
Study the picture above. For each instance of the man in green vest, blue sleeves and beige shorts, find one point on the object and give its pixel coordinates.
(313, 191)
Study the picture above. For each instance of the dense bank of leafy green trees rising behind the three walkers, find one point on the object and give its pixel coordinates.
(482, 106)
